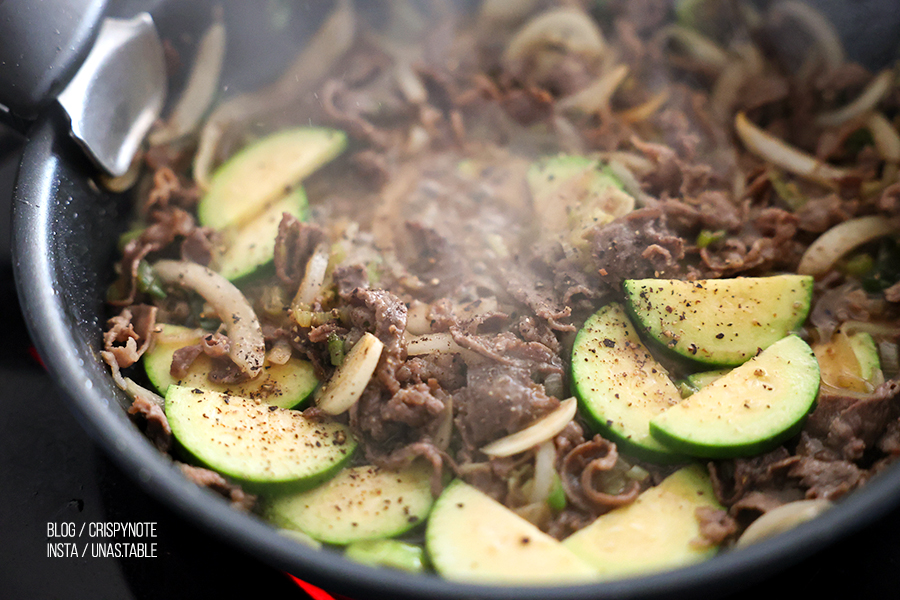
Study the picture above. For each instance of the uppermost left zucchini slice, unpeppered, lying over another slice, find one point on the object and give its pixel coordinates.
(262, 172)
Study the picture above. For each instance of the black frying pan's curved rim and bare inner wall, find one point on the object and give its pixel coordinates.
(65, 230)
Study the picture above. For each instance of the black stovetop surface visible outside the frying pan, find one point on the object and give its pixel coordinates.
(51, 474)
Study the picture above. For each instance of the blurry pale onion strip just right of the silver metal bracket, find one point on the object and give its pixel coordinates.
(200, 89)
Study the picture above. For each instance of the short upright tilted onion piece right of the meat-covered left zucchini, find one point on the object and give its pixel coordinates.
(352, 377)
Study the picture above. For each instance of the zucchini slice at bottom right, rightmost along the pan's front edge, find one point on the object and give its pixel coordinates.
(657, 532)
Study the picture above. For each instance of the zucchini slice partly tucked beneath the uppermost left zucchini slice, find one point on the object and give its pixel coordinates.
(251, 246)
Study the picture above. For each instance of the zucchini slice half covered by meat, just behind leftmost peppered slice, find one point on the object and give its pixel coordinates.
(285, 386)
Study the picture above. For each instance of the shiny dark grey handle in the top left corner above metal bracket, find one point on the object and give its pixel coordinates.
(43, 44)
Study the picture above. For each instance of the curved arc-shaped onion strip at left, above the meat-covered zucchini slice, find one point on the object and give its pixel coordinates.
(248, 348)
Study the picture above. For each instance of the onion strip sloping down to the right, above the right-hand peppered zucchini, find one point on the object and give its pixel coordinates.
(770, 148)
